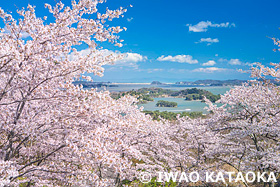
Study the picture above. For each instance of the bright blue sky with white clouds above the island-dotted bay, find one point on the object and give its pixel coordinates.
(186, 40)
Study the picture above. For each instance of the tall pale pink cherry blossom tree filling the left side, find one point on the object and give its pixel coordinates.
(54, 133)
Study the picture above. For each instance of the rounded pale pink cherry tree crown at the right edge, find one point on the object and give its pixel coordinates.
(248, 123)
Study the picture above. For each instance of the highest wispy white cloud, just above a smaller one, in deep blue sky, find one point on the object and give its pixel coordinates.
(203, 26)
